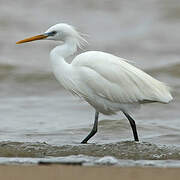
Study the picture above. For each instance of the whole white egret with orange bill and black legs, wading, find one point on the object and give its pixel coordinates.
(110, 84)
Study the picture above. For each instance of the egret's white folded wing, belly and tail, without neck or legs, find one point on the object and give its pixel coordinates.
(111, 84)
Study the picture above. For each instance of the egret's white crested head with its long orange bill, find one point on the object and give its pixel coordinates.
(59, 32)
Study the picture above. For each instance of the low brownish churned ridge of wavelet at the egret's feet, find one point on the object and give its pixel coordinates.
(121, 150)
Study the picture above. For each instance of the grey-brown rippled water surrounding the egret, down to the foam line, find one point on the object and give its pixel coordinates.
(39, 118)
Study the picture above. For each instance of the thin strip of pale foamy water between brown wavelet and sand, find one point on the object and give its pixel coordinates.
(83, 160)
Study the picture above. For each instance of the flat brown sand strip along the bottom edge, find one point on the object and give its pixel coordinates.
(56, 172)
